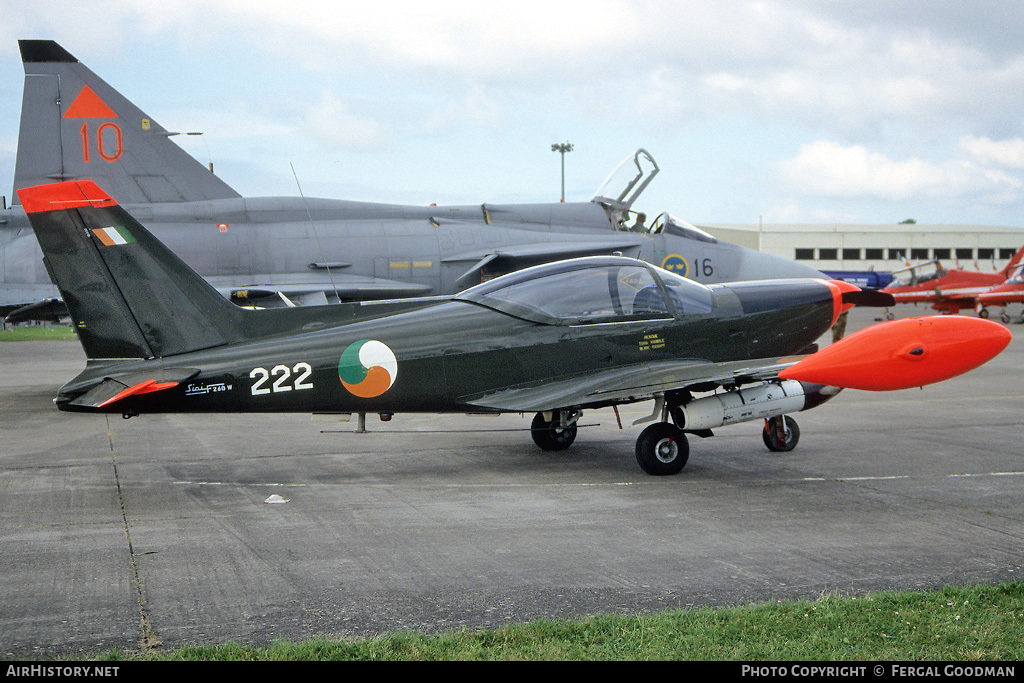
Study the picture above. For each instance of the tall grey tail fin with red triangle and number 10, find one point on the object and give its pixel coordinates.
(75, 127)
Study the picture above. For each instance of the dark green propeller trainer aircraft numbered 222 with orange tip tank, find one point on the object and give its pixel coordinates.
(554, 339)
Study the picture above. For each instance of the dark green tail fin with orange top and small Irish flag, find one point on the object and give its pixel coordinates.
(129, 295)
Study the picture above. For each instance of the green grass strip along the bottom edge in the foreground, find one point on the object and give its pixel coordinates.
(979, 623)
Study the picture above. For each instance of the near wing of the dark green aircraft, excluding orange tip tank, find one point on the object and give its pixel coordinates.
(631, 383)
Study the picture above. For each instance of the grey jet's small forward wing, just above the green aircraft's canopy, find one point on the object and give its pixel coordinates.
(506, 260)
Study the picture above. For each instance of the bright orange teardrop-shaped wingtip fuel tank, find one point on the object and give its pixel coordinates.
(907, 354)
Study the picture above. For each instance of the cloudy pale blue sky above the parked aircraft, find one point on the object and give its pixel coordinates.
(867, 111)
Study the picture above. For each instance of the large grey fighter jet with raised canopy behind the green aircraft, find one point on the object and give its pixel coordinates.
(277, 251)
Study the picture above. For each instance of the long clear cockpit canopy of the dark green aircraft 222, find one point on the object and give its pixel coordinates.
(598, 289)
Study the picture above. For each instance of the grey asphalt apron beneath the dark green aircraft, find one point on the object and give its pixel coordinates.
(164, 529)
